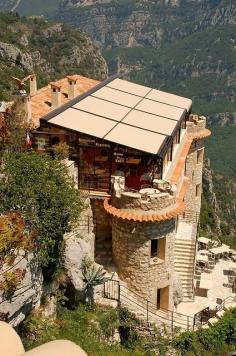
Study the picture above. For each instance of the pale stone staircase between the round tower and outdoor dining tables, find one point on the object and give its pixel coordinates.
(184, 255)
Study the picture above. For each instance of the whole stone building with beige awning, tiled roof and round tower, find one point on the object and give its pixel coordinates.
(138, 153)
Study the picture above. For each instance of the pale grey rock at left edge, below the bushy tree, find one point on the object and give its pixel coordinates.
(28, 293)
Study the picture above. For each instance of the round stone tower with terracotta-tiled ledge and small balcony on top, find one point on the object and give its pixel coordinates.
(143, 232)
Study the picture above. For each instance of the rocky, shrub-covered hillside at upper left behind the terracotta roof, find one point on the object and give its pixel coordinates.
(48, 49)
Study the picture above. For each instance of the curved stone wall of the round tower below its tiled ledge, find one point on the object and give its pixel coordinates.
(131, 244)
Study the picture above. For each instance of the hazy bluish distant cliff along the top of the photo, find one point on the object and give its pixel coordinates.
(130, 23)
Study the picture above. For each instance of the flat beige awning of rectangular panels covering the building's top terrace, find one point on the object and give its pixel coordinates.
(125, 113)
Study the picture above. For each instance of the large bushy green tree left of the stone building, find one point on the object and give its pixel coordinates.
(41, 189)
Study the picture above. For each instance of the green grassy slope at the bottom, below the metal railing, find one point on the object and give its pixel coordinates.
(90, 329)
